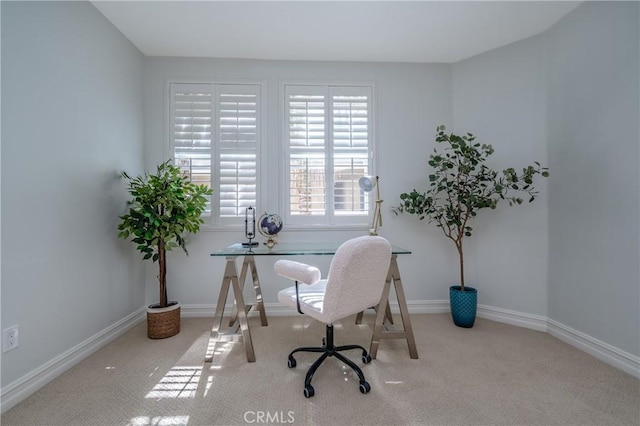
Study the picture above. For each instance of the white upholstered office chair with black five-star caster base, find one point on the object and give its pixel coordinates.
(355, 282)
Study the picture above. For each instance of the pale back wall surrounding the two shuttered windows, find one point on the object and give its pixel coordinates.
(412, 99)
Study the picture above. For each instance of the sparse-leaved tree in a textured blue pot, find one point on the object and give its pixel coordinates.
(461, 184)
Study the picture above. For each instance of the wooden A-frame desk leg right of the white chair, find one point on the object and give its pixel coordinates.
(379, 330)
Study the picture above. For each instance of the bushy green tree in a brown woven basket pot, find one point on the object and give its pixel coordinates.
(165, 205)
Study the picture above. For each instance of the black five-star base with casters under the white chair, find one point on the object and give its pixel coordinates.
(329, 349)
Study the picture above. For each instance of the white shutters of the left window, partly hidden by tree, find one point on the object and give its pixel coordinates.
(215, 140)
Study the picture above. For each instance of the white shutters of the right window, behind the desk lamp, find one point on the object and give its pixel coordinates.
(329, 147)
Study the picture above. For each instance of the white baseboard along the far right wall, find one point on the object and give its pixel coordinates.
(623, 360)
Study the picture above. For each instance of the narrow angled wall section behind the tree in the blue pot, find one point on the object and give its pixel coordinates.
(500, 97)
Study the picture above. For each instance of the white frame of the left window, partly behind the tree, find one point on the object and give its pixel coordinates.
(214, 221)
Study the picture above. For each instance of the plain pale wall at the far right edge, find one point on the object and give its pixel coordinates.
(593, 129)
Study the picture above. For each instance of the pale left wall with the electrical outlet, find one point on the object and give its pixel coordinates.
(72, 117)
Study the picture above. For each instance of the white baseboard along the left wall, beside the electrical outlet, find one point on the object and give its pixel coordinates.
(20, 389)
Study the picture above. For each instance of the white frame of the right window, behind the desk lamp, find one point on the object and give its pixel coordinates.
(329, 220)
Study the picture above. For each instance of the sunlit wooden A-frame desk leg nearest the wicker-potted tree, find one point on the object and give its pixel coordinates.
(230, 279)
